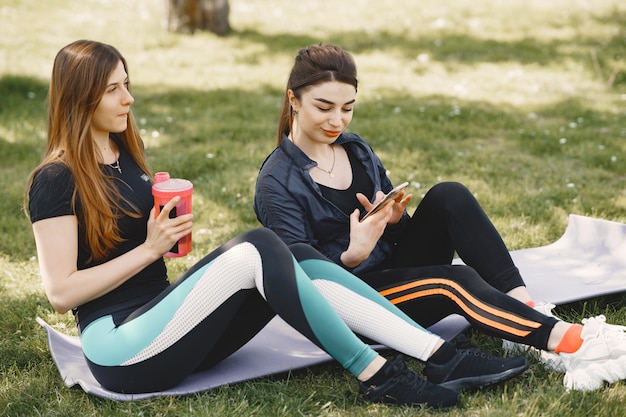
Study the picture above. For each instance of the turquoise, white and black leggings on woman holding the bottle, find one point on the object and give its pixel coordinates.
(227, 298)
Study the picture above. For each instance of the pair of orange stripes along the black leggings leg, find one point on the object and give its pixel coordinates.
(472, 299)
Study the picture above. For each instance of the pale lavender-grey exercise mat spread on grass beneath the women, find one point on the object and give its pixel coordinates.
(589, 260)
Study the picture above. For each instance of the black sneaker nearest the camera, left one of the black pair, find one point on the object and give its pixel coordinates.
(404, 387)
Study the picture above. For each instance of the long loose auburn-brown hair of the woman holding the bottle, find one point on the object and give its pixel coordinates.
(79, 78)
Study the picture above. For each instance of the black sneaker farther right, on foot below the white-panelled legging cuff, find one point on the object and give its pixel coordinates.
(471, 368)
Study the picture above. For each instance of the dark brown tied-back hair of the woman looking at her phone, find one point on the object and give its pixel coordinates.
(314, 65)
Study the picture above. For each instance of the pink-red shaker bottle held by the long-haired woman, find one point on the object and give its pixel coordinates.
(163, 190)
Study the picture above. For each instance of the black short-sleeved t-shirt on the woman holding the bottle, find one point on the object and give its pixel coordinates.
(51, 196)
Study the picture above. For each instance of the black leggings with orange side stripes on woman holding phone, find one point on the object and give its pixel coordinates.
(422, 282)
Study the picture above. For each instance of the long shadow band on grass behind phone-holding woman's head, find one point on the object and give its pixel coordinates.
(453, 48)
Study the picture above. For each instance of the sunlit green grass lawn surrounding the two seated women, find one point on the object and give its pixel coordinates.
(523, 101)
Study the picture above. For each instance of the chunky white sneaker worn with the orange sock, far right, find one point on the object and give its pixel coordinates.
(601, 358)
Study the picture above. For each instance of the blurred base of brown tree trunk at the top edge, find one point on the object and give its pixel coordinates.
(187, 16)
